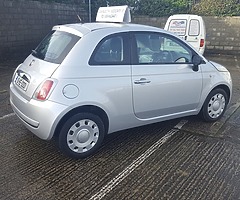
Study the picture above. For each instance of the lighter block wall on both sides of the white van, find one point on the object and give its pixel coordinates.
(223, 33)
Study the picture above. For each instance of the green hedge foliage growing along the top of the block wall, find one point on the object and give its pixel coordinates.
(158, 8)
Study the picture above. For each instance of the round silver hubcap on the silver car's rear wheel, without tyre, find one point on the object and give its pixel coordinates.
(82, 136)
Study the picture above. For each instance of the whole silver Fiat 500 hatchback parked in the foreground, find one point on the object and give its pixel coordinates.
(84, 81)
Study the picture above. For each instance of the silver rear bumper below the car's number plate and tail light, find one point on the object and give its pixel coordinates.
(40, 118)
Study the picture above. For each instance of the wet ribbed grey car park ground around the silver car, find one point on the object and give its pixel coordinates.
(199, 161)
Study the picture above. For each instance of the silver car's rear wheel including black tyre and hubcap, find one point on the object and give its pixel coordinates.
(81, 135)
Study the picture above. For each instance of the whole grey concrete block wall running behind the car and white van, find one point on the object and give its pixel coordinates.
(23, 23)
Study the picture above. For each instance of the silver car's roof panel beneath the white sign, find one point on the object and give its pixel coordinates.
(81, 29)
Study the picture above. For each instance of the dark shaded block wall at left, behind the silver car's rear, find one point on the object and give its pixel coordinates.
(23, 23)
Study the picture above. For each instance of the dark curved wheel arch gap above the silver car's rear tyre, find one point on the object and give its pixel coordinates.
(87, 108)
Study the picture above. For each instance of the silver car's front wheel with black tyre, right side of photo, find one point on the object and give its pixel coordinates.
(214, 105)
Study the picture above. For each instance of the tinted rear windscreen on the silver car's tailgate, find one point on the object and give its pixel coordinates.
(55, 46)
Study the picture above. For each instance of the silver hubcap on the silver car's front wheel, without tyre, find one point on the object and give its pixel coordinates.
(216, 105)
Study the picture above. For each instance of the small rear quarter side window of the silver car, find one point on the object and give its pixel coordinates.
(110, 51)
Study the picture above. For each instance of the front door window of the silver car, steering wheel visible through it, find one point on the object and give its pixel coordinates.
(156, 48)
